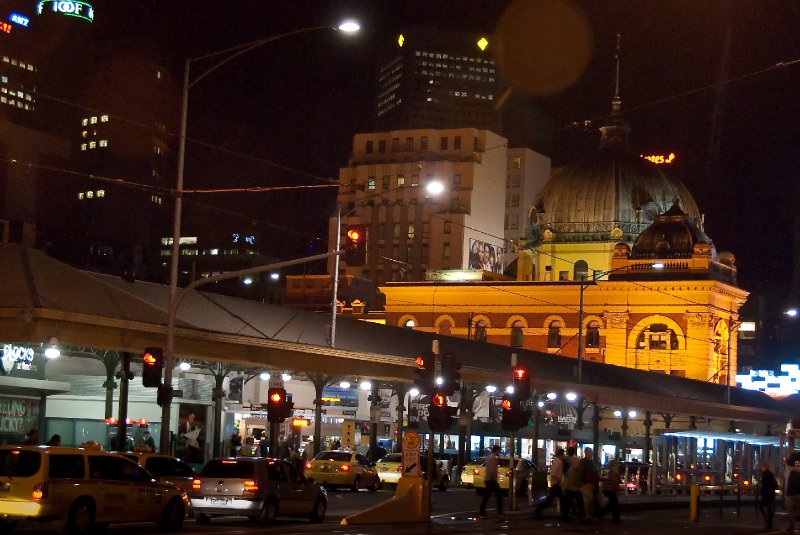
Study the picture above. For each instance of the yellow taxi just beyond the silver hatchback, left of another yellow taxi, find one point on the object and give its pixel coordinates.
(339, 468)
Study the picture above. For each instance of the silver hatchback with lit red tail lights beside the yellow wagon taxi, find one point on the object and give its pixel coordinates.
(259, 488)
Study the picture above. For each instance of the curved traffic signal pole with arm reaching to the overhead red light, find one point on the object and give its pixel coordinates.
(169, 356)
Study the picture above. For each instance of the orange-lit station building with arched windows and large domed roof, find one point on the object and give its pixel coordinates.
(615, 268)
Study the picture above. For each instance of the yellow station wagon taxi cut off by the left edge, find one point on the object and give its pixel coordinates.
(82, 490)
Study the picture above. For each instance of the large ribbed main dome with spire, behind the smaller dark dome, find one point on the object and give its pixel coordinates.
(612, 194)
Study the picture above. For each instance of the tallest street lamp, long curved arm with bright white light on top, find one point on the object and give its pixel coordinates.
(229, 55)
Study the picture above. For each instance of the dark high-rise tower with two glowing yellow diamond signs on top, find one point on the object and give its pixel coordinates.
(431, 78)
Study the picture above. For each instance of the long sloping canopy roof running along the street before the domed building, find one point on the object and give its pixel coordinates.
(43, 298)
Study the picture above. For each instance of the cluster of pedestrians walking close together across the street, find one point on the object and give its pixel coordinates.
(576, 484)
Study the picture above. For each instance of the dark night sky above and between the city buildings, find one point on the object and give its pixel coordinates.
(286, 113)
